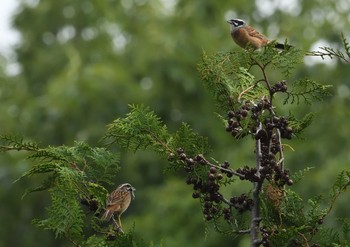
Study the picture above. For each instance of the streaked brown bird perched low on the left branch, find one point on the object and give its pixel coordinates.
(117, 202)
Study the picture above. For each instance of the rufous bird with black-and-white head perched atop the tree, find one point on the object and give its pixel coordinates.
(245, 36)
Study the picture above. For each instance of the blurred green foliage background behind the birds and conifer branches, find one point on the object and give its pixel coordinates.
(80, 63)
